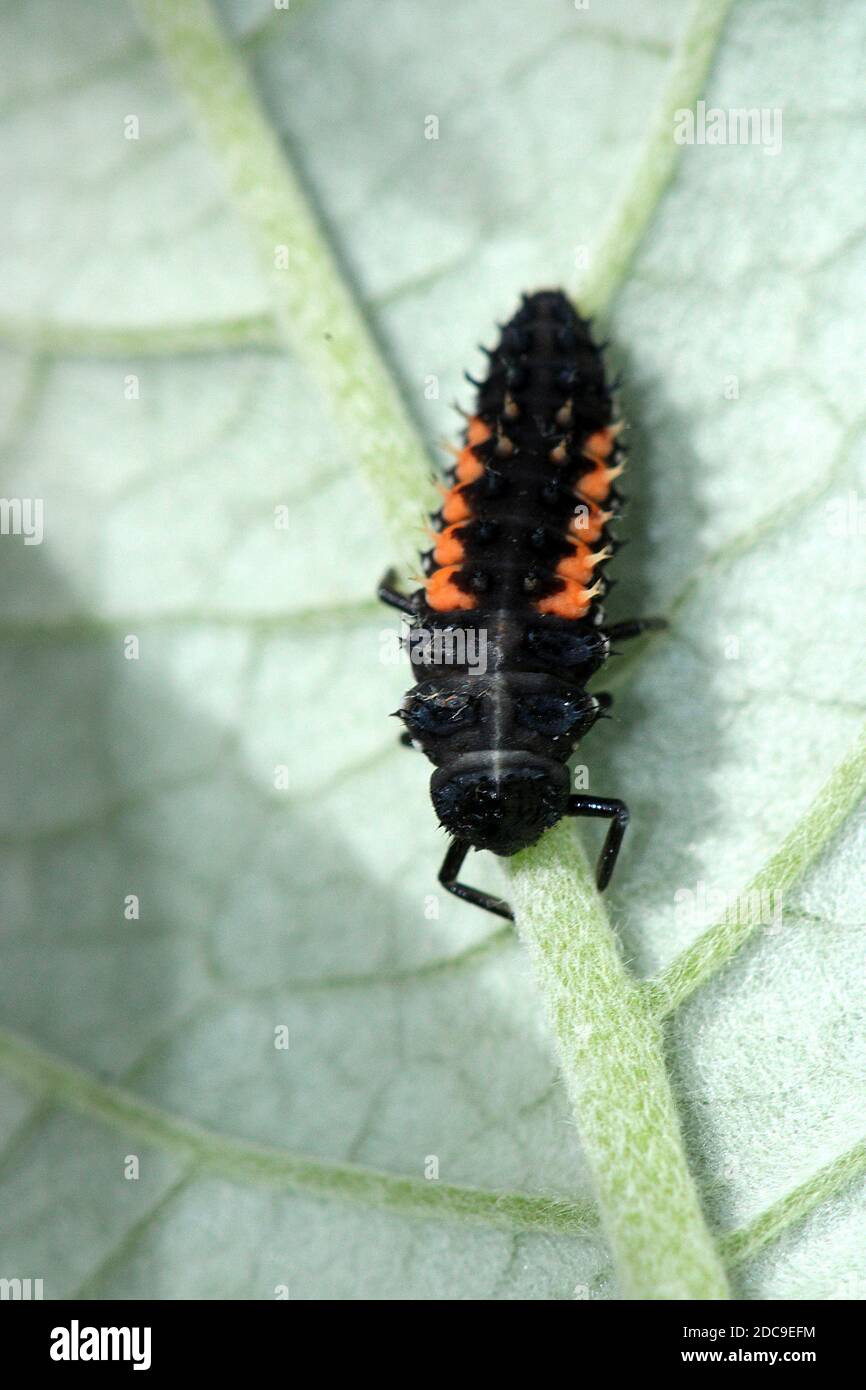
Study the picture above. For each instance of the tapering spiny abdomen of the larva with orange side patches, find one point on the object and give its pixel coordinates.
(540, 458)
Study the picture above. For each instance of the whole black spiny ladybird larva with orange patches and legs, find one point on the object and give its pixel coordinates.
(515, 582)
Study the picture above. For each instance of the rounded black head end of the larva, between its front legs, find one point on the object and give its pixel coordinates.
(500, 801)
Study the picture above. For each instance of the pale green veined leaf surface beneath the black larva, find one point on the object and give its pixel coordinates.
(414, 1038)
